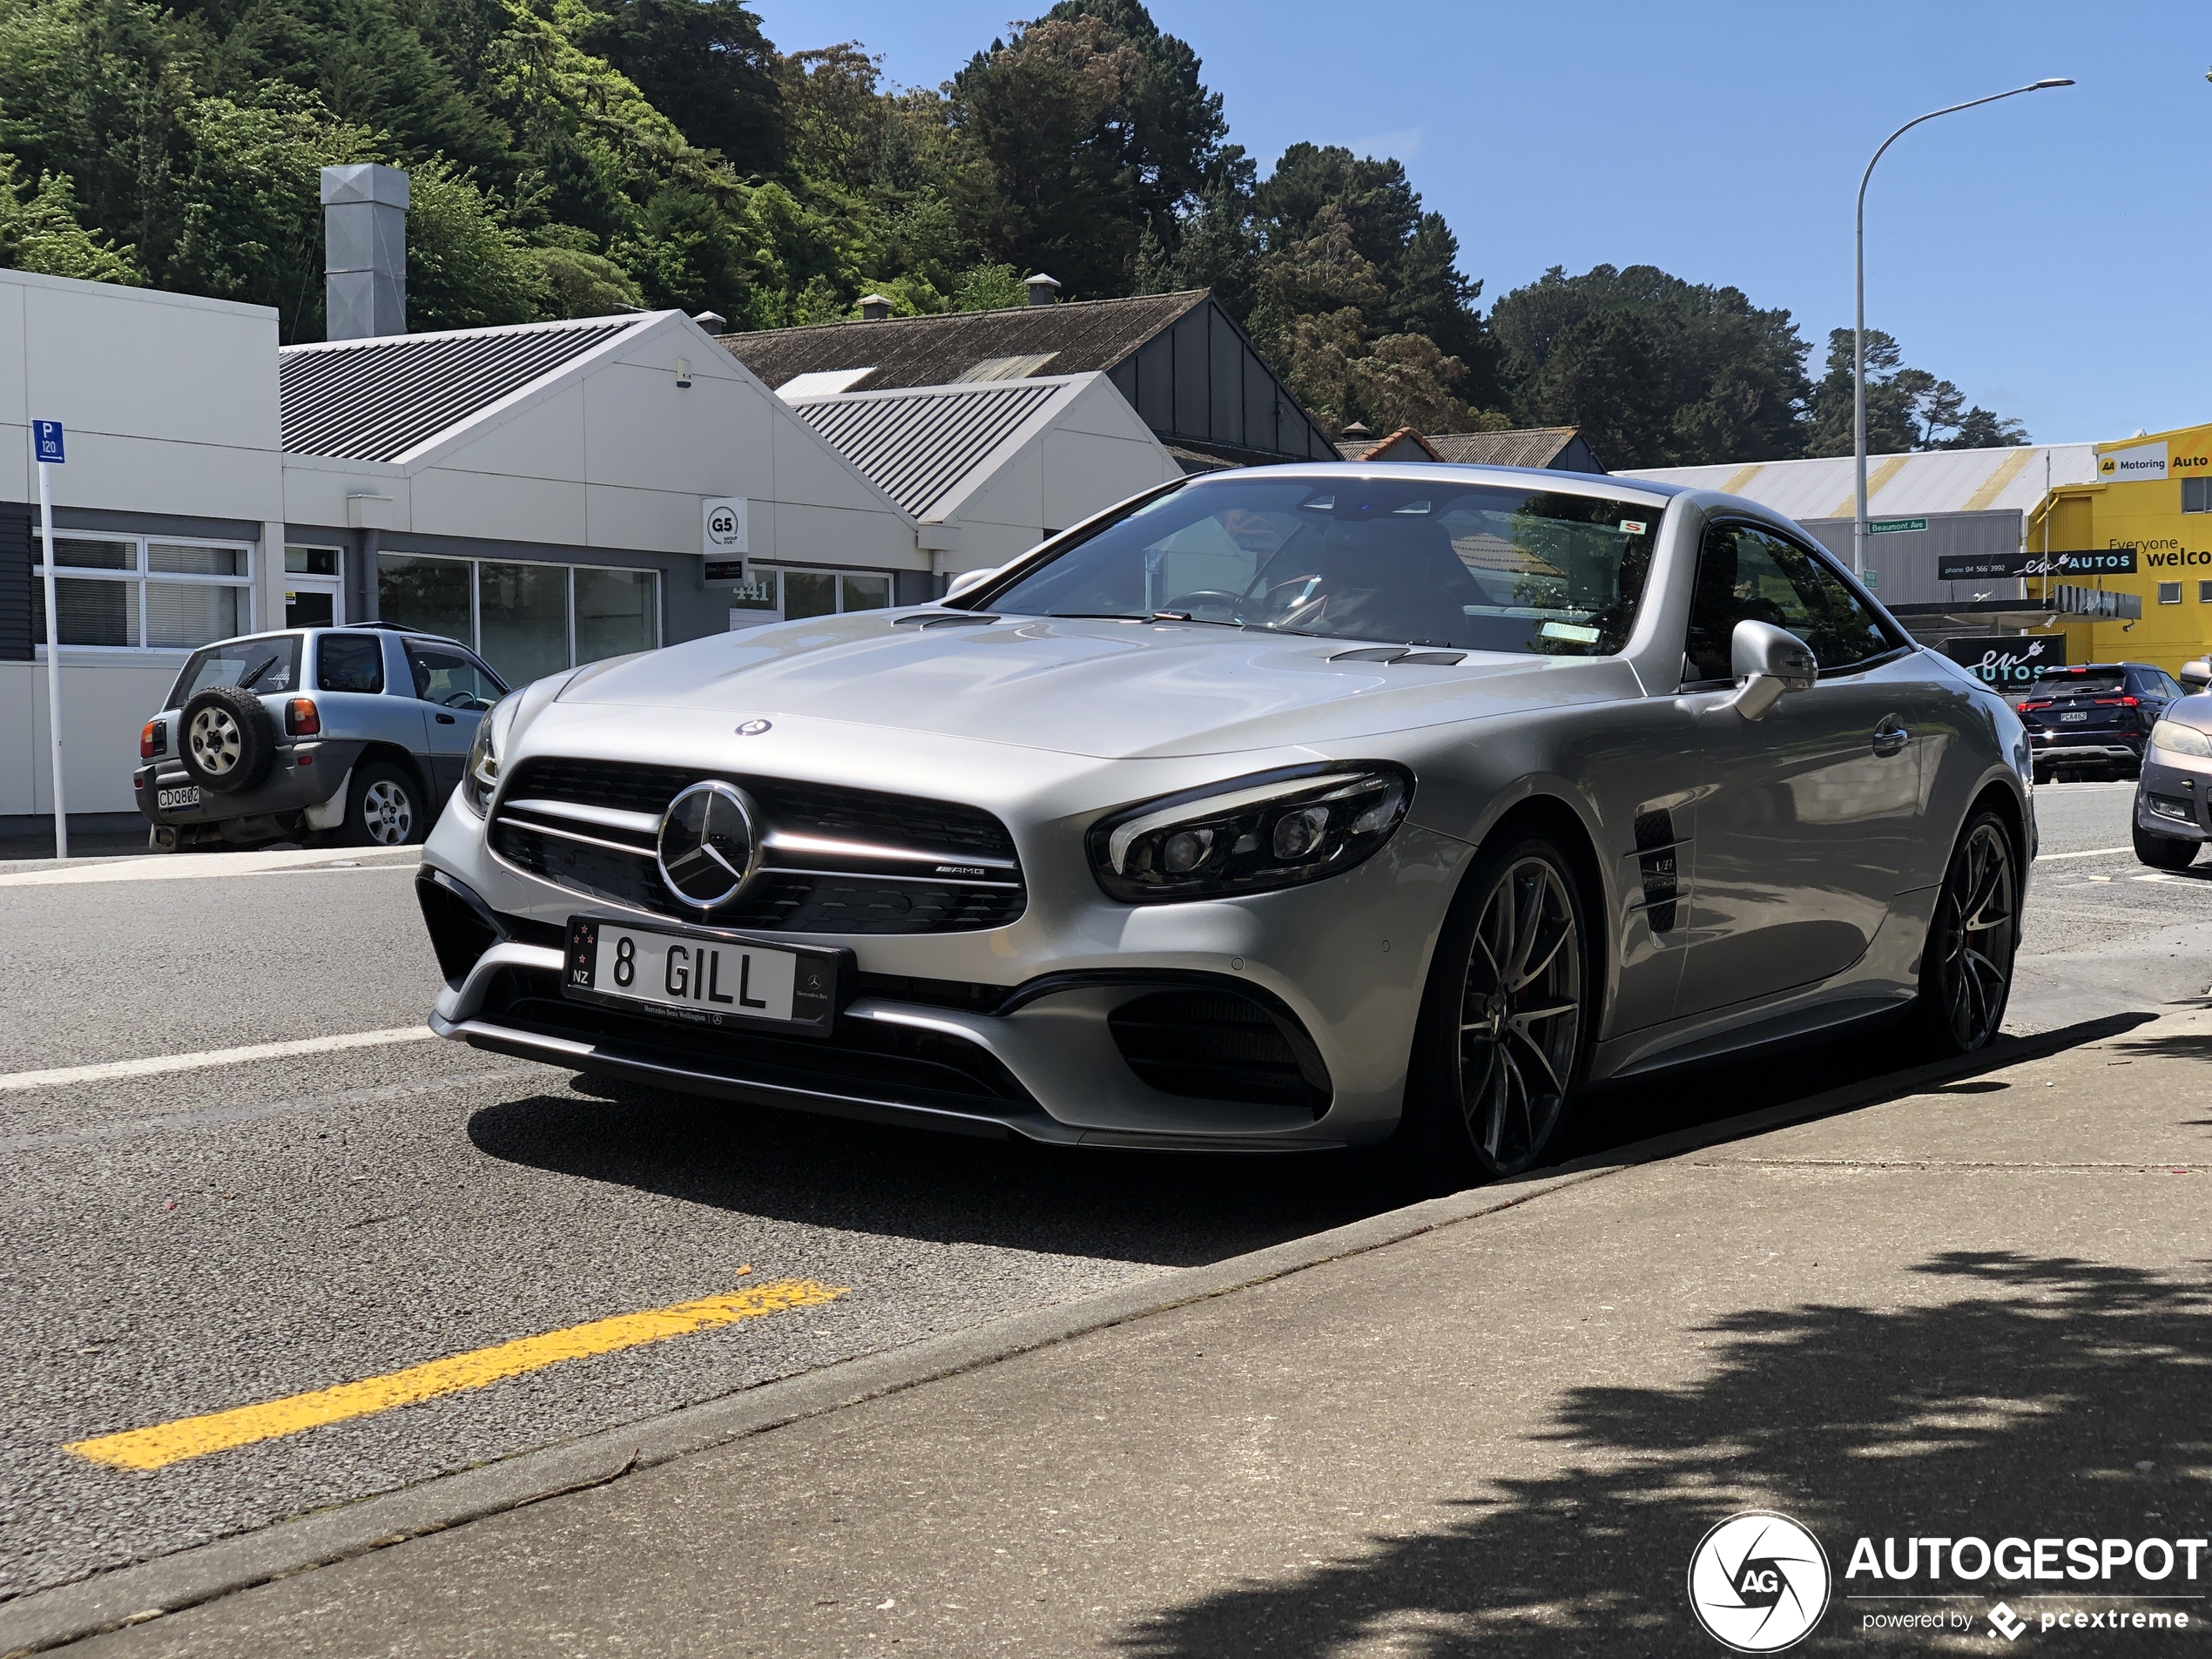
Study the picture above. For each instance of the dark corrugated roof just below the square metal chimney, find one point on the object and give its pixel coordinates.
(379, 399)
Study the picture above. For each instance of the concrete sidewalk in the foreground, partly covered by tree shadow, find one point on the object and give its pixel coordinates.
(1968, 1313)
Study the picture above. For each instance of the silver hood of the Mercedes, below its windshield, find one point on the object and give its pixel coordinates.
(1098, 689)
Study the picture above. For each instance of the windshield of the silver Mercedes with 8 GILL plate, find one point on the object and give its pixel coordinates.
(1392, 561)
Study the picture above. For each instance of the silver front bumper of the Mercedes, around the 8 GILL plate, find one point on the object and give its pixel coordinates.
(1271, 1023)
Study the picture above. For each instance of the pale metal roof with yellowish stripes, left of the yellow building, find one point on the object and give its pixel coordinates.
(1937, 481)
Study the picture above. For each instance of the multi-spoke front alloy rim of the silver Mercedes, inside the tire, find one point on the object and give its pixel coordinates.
(1521, 1014)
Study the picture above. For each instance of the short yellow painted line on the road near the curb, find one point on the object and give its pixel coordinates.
(222, 1430)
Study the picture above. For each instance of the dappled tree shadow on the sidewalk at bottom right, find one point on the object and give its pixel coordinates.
(2025, 1408)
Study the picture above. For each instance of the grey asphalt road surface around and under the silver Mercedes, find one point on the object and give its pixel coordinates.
(191, 1242)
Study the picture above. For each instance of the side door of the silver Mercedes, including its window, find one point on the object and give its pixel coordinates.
(1811, 820)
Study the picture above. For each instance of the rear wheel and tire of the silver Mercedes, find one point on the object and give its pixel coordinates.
(1968, 966)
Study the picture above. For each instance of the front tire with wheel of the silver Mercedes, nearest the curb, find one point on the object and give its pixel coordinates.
(1505, 1025)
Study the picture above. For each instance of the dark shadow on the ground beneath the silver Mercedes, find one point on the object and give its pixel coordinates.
(1162, 1209)
